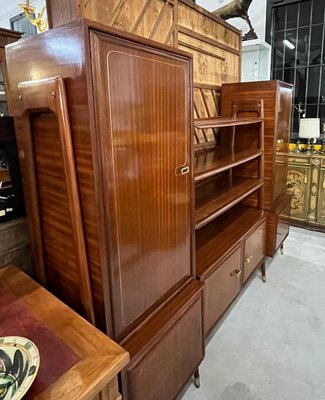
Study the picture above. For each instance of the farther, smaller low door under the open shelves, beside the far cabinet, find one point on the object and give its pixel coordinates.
(254, 250)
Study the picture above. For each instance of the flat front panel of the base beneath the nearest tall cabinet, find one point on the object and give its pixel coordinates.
(180, 347)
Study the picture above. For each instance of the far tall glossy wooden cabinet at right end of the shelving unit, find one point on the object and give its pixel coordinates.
(277, 98)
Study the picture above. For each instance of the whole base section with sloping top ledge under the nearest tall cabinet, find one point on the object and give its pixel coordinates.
(166, 350)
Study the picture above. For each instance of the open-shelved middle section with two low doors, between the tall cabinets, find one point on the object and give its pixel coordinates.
(228, 208)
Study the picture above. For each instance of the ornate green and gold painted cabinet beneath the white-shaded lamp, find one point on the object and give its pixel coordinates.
(306, 185)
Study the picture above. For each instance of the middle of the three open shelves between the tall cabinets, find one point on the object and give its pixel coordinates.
(213, 161)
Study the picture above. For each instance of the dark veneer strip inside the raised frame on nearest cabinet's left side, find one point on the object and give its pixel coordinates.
(58, 246)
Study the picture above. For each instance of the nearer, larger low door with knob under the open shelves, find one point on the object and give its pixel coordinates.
(221, 287)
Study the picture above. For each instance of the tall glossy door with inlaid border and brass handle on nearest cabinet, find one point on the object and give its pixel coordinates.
(142, 101)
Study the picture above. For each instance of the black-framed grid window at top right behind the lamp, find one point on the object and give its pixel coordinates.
(298, 54)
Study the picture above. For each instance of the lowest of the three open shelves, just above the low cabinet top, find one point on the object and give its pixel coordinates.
(214, 199)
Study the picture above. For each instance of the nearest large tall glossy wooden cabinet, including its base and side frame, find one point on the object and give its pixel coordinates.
(104, 122)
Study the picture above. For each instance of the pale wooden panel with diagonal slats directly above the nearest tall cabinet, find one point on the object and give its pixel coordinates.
(152, 19)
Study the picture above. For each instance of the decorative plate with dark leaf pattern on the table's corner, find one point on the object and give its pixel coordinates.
(19, 363)
